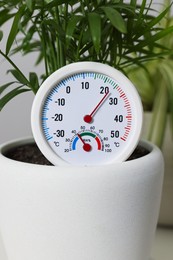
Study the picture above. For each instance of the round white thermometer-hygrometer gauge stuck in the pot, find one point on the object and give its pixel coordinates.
(87, 113)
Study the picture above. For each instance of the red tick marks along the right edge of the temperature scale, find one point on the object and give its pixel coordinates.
(129, 114)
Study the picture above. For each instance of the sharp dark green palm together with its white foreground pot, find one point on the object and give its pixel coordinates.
(102, 212)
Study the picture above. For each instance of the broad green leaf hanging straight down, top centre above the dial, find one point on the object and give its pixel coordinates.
(95, 29)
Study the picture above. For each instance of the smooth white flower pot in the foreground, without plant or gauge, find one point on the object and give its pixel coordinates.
(80, 213)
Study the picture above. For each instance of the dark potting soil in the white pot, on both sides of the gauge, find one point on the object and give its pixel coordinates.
(30, 153)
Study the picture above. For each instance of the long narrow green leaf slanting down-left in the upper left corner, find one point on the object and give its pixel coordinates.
(14, 29)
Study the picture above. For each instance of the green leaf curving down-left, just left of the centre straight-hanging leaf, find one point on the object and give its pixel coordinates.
(71, 28)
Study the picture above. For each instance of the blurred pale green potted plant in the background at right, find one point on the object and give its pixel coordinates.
(158, 103)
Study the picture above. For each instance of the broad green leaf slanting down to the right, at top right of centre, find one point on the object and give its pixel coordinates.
(115, 18)
